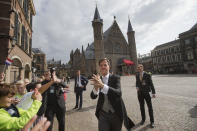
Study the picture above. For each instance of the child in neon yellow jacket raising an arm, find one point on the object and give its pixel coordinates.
(13, 118)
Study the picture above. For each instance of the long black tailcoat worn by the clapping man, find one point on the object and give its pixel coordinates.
(114, 96)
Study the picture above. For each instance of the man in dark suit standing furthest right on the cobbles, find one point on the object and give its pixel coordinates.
(144, 85)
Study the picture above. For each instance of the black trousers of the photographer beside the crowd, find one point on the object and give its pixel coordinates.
(60, 114)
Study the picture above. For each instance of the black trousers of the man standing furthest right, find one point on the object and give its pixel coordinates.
(145, 96)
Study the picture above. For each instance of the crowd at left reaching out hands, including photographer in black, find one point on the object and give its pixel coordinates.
(47, 100)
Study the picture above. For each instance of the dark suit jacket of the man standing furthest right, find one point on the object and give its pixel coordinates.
(146, 85)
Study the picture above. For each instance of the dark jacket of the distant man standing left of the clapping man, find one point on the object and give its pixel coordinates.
(84, 82)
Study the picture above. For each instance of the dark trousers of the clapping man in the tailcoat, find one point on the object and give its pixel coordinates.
(109, 122)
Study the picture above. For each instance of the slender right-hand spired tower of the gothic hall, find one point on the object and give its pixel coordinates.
(132, 45)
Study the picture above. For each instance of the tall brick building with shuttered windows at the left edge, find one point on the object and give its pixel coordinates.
(16, 37)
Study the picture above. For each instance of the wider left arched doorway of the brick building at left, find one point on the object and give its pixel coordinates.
(15, 70)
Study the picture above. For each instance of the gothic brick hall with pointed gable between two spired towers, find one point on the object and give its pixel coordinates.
(110, 44)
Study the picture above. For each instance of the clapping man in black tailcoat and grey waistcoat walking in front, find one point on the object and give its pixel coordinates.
(110, 109)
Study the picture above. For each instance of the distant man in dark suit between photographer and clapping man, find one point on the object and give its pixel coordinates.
(80, 86)
